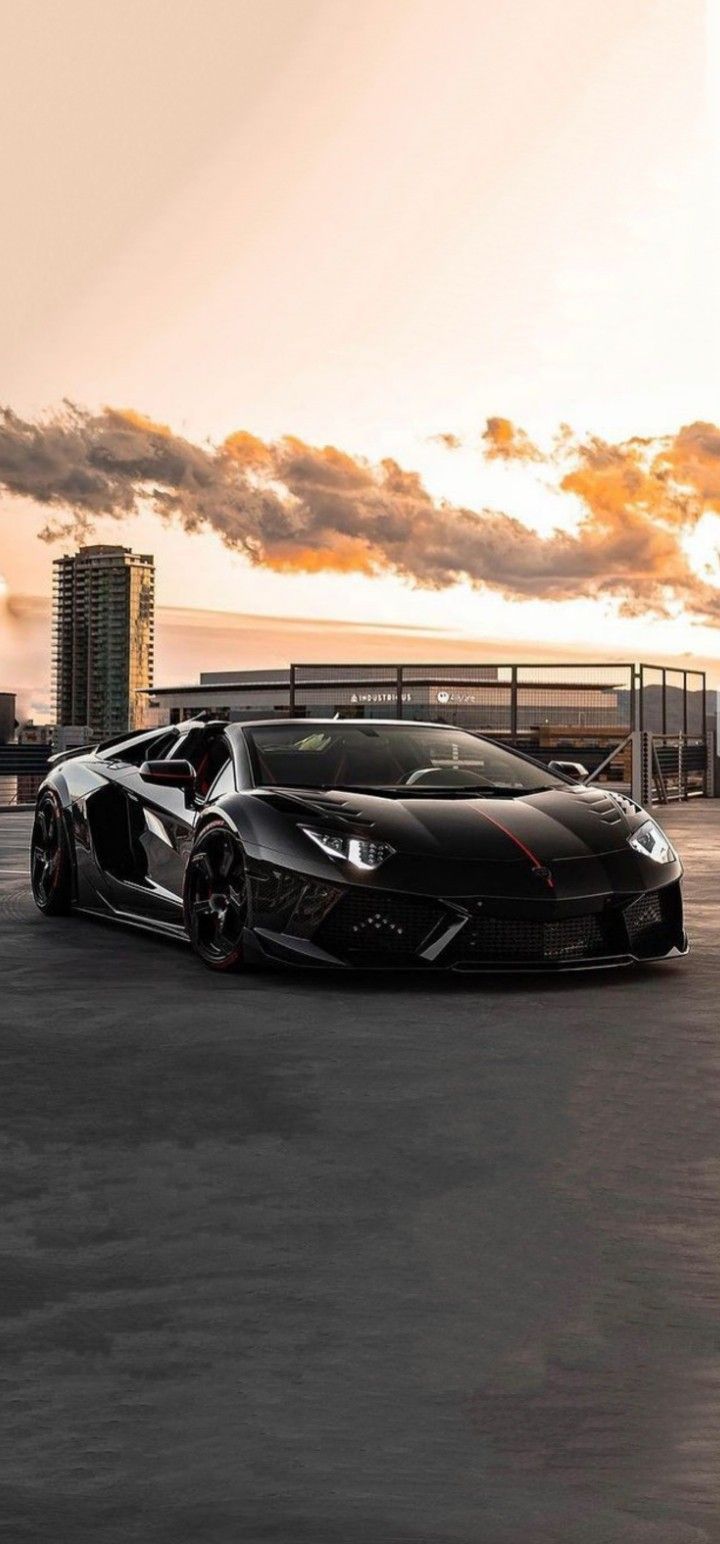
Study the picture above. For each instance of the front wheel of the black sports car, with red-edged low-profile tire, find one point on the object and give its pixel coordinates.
(216, 898)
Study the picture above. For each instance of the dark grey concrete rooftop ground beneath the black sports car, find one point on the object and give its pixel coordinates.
(333, 1261)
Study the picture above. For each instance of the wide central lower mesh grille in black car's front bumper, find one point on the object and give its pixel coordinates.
(515, 940)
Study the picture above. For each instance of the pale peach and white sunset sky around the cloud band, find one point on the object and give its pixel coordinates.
(372, 226)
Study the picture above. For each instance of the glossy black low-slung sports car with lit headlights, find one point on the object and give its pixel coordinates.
(355, 842)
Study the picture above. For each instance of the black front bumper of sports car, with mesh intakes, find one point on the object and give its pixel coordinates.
(296, 919)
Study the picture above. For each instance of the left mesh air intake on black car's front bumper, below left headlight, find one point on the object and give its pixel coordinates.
(372, 924)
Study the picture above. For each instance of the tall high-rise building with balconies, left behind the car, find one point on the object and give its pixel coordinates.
(103, 638)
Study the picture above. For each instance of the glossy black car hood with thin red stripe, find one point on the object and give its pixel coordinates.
(543, 828)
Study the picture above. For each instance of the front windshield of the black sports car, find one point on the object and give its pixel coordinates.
(415, 757)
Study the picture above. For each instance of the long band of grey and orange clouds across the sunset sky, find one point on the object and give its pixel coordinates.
(299, 507)
